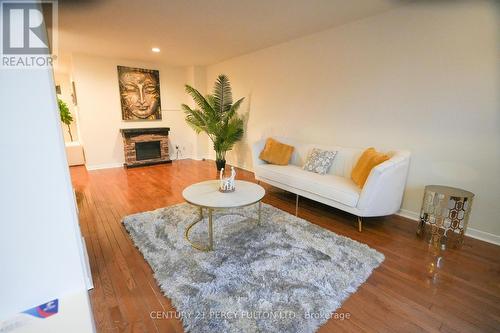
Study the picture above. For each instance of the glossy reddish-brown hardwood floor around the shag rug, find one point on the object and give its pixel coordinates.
(407, 293)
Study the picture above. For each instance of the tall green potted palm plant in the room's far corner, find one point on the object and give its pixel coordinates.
(216, 115)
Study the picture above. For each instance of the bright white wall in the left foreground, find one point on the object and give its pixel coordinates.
(40, 243)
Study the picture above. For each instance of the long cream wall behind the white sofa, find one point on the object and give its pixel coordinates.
(422, 77)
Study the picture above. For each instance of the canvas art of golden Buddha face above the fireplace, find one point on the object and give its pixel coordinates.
(139, 93)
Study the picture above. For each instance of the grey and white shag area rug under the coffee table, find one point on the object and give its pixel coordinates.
(285, 275)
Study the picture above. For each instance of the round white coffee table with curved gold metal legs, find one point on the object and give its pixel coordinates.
(206, 195)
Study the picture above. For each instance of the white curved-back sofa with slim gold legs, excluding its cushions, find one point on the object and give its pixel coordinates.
(381, 195)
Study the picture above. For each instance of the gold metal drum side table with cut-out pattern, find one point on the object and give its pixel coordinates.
(445, 211)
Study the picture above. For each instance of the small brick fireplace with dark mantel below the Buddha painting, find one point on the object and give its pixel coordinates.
(145, 146)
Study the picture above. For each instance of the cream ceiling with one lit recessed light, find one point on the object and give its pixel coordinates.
(198, 32)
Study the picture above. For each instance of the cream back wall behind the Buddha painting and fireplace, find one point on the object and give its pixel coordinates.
(99, 110)
